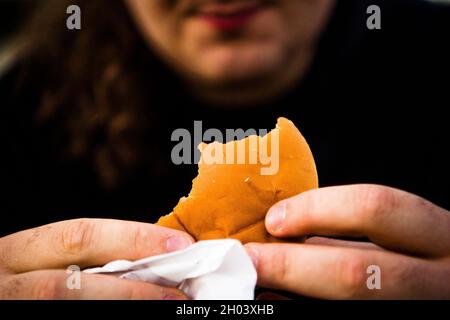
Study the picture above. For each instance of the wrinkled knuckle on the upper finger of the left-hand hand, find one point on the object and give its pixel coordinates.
(77, 236)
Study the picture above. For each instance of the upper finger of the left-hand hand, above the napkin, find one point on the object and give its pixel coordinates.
(87, 242)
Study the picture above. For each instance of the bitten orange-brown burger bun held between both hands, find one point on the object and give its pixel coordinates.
(231, 200)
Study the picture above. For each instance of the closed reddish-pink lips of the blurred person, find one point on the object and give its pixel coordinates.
(231, 15)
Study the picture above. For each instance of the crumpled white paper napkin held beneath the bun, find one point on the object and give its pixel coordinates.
(207, 270)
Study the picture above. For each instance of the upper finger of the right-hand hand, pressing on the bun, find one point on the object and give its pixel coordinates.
(391, 218)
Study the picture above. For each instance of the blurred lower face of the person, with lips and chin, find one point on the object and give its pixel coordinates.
(242, 49)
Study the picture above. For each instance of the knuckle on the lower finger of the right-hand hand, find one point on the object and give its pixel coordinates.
(351, 277)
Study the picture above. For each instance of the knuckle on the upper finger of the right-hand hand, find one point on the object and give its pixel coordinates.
(377, 202)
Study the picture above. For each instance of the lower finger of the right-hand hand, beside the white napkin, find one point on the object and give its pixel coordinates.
(342, 273)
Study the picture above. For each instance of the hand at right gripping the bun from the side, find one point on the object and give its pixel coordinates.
(409, 240)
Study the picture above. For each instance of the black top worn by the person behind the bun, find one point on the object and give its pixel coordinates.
(373, 108)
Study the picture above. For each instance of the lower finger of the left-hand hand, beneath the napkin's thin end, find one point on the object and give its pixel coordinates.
(52, 285)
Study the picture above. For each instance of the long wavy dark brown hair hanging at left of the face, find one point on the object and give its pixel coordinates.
(92, 83)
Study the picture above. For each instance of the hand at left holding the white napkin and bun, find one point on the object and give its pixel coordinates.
(33, 262)
